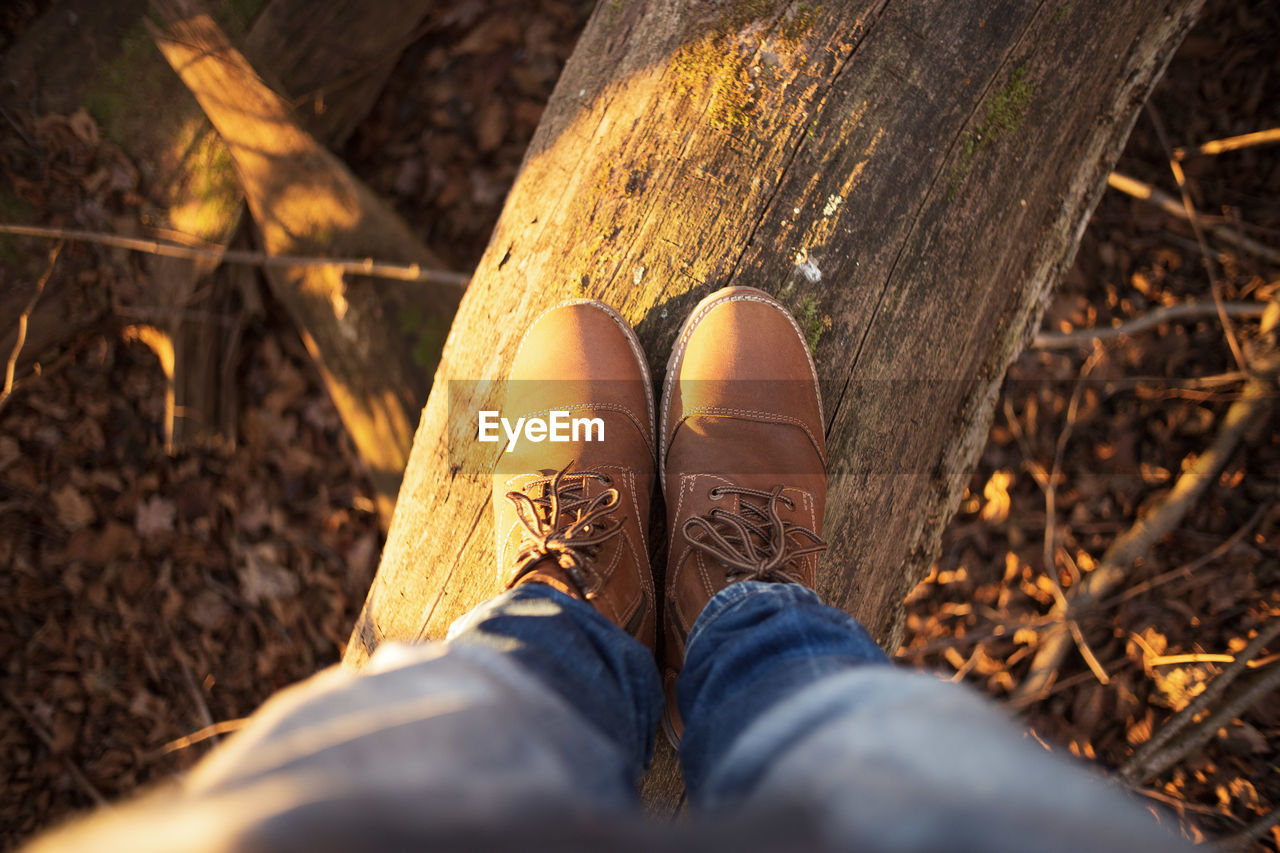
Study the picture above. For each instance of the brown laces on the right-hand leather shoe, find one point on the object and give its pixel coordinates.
(755, 544)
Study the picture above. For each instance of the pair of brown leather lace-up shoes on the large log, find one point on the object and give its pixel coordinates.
(740, 453)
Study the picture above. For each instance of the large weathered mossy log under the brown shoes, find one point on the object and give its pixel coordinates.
(911, 177)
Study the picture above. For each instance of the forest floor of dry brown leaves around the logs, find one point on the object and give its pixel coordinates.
(147, 596)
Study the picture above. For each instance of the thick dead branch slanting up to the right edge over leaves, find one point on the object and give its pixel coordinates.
(1137, 541)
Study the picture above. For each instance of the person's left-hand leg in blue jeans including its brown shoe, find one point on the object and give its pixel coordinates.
(543, 704)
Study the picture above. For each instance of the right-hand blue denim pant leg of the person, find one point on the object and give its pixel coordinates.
(883, 759)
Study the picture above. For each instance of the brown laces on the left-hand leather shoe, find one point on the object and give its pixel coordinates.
(566, 526)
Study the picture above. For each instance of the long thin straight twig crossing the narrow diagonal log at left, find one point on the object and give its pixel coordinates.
(349, 266)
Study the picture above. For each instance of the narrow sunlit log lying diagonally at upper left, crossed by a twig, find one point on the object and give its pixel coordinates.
(305, 202)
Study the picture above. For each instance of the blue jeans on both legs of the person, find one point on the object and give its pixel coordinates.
(532, 724)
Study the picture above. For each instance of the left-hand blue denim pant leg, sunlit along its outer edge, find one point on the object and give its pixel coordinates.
(537, 713)
